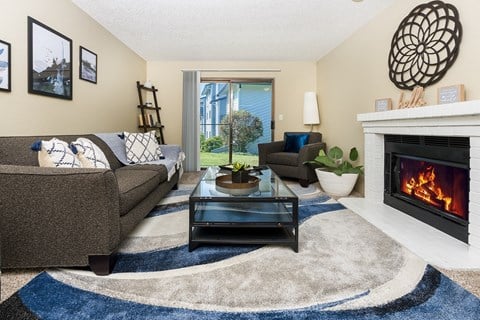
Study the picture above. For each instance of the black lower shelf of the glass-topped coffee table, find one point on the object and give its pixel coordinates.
(236, 235)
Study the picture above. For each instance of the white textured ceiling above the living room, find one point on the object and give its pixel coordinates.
(232, 29)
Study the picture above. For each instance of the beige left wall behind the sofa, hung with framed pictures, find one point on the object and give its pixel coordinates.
(110, 105)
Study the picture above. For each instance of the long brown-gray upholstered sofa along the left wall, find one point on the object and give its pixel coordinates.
(65, 217)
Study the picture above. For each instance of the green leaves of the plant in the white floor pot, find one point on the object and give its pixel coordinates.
(333, 161)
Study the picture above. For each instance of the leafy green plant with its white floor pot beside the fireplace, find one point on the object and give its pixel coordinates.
(337, 176)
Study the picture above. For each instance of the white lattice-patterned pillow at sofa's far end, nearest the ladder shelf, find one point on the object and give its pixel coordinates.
(142, 147)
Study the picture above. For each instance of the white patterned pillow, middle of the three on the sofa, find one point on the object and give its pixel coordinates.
(89, 154)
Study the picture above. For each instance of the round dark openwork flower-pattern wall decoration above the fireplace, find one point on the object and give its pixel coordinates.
(425, 45)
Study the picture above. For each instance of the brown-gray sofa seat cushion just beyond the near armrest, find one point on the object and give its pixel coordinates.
(134, 185)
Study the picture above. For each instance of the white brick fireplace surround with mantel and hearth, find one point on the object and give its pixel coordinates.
(458, 119)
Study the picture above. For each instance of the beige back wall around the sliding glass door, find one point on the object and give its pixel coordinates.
(290, 84)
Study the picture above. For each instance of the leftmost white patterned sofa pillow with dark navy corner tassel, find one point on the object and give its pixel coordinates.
(55, 153)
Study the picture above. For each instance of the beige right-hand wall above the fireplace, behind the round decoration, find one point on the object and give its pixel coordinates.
(353, 75)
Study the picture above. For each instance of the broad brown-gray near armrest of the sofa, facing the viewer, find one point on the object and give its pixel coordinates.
(57, 216)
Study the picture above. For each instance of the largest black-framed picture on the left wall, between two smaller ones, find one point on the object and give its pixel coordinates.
(49, 61)
